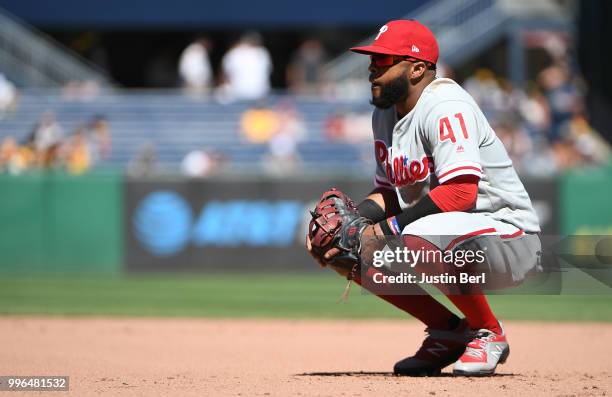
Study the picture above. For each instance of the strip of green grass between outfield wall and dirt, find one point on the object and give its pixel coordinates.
(284, 296)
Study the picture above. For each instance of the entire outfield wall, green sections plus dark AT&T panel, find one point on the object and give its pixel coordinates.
(105, 223)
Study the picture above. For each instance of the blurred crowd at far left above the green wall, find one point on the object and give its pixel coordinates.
(48, 146)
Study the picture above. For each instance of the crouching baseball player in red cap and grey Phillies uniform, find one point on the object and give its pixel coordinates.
(440, 171)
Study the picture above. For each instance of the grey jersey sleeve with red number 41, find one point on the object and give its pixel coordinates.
(451, 129)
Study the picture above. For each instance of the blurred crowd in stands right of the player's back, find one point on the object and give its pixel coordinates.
(544, 127)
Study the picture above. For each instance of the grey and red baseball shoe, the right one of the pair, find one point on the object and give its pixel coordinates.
(483, 353)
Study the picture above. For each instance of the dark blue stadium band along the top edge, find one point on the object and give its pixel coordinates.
(195, 14)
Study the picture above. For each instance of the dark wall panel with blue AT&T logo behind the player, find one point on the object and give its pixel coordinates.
(216, 225)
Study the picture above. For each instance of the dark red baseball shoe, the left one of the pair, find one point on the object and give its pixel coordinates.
(439, 349)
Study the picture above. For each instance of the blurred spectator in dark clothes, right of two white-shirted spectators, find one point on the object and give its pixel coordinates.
(305, 73)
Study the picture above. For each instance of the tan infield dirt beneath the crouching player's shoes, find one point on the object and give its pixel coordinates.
(243, 357)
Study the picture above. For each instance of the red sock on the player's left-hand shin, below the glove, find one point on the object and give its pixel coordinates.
(419, 304)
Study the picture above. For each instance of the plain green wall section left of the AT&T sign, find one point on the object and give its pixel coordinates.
(61, 223)
